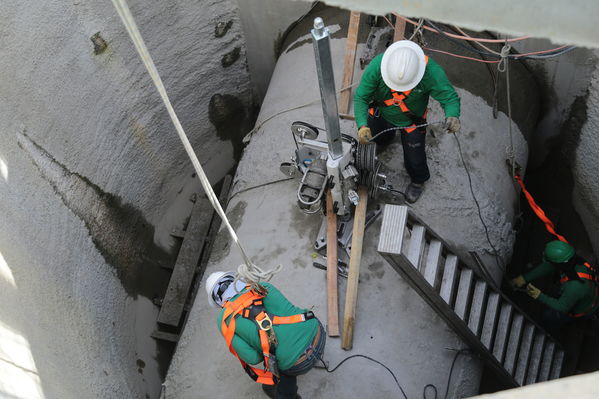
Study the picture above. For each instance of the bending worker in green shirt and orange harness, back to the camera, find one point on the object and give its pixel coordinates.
(263, 326)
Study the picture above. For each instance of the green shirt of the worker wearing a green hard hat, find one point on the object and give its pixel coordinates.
(575, 296)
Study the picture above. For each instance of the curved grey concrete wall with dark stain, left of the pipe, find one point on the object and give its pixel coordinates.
(92, 179)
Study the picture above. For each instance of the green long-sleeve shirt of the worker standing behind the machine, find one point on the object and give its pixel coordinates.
(434, 84)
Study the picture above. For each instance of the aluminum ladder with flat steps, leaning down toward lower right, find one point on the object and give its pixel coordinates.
(509, 341)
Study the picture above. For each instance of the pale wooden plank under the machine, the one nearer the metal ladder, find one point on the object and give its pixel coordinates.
(351, 296)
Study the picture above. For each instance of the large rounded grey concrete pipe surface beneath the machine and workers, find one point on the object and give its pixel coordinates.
(394, 325)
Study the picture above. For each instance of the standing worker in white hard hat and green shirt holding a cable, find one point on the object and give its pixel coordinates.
(393, 95)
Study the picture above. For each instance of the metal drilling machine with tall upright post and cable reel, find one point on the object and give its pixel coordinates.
(338, 164)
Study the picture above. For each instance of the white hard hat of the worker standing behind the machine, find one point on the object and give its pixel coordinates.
(403, 65)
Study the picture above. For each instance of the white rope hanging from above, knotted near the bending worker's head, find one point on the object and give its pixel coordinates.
(248, 271)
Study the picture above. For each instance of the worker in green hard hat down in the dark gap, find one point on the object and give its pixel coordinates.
(578, 284)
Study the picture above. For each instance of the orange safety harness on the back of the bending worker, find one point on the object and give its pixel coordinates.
(251, 306)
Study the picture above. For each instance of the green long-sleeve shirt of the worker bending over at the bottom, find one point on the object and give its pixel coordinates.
(293, 339)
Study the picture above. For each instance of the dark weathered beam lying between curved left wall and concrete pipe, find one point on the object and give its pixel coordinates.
(187, 261)
